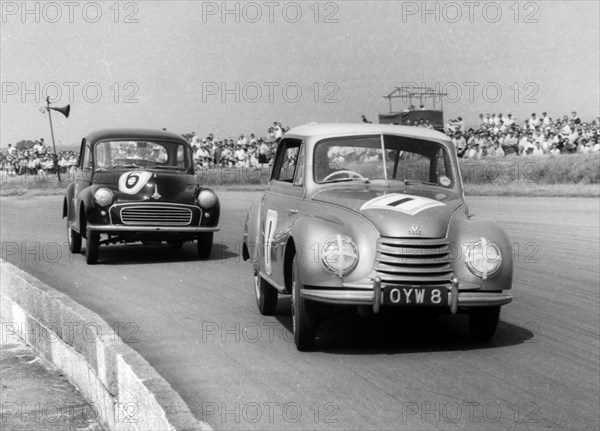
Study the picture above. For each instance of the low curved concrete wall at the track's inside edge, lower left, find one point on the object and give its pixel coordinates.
(124, 390)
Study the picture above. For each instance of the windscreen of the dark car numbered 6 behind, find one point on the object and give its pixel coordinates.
(141, 154)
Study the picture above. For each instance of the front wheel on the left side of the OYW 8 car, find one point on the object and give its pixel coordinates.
(304, 315)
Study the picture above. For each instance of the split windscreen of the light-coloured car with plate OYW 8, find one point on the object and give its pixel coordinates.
(366, 158)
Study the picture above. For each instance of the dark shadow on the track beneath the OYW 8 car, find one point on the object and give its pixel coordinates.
(343, 331)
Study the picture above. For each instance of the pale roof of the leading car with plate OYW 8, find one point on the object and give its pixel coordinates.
(333, 129)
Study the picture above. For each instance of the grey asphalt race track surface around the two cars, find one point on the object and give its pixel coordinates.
(197, 324)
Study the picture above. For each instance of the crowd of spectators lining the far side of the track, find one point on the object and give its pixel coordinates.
(495, 136)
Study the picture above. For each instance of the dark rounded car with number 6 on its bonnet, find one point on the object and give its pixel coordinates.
(138, 185)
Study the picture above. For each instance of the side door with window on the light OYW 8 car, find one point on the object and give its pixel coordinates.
(281, 206)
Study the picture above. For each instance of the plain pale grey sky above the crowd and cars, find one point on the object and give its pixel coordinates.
(236, 67)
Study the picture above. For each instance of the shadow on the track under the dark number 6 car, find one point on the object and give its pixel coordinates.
(138, 253)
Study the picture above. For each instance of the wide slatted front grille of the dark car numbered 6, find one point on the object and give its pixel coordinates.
(152, 215)
